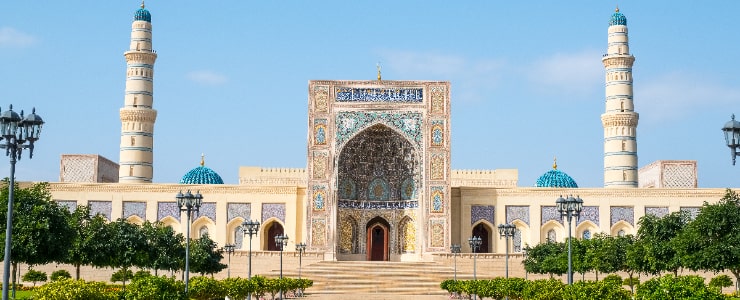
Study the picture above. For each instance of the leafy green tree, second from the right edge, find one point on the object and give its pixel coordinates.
(655, 235)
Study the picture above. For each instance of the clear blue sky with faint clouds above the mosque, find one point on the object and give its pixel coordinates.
(231, 78)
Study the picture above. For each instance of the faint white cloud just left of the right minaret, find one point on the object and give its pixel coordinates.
(579, 73)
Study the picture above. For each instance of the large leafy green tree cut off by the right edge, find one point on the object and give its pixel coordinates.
(711, 241)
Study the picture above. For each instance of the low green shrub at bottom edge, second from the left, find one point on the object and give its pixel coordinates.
(155, 288)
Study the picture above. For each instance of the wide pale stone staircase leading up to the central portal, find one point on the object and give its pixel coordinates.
(366, 277)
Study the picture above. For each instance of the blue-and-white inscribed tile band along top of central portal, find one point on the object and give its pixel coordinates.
(411, 95)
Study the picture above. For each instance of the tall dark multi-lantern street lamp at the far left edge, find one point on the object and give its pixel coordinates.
(16, 131)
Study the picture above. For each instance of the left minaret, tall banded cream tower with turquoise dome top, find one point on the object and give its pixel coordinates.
(137, 115)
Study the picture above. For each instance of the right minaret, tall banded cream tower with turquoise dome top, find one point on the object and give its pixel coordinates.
(620, 118)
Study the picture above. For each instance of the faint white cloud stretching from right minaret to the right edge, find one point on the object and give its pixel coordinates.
(675, 95)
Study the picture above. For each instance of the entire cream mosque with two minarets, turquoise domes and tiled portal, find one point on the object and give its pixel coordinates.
(378, 185)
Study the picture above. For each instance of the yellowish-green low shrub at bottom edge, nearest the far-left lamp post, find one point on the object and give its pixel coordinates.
(69, 289)
